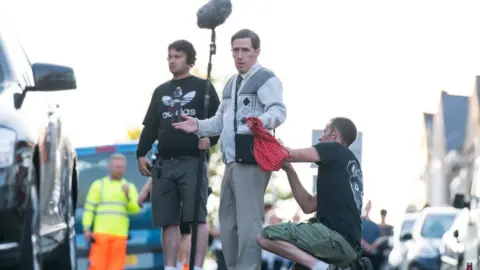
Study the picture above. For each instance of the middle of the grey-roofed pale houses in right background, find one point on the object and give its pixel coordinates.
(449, 134)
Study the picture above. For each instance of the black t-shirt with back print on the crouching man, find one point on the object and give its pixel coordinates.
(340, 191)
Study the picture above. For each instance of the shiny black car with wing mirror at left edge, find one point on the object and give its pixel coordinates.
(38, 178)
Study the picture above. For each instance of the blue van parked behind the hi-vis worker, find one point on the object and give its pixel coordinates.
(144, 249)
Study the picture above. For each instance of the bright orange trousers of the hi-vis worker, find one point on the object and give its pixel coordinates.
(108, 252)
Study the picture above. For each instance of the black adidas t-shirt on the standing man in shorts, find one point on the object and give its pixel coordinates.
(164, 105)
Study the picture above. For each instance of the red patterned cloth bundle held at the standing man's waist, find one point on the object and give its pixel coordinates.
(268, 152)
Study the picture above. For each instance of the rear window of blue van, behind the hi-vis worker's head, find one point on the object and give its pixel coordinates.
(93, 167)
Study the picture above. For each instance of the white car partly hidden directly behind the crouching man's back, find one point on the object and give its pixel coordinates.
(398, 251)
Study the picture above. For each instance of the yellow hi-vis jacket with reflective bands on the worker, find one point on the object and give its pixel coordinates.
(107, 207)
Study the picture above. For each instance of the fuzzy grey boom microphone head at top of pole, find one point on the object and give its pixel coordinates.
(213, 13)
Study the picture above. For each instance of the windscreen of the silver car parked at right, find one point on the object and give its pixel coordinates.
(435, 225)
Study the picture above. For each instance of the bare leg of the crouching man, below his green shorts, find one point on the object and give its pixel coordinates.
(288, 251)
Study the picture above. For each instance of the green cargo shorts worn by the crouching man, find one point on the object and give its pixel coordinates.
(316, 239)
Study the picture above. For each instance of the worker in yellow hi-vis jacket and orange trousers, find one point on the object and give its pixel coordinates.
(105, 220)
